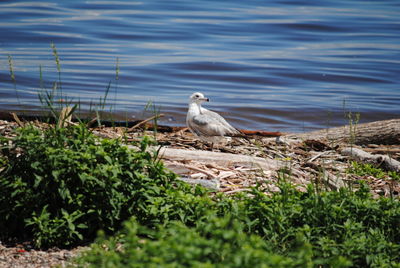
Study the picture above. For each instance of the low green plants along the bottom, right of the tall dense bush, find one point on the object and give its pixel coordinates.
(286, 229)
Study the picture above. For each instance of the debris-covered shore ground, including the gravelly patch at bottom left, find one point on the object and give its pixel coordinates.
(303, 161)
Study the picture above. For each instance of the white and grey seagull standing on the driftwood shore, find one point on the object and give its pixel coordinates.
(207, 125)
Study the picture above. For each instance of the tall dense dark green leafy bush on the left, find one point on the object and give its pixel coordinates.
(62, 185)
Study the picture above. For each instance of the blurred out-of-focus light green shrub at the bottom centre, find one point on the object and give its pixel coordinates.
(219, 242)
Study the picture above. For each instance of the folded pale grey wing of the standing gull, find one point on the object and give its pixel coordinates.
(209, 123)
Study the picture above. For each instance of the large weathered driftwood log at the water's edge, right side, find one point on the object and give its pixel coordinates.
(379, 132)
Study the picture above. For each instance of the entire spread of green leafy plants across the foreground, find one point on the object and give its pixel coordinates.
(61, 186)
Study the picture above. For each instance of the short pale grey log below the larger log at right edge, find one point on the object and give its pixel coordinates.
(381, 161)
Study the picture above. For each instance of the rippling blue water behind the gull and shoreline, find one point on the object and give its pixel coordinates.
(269, 65)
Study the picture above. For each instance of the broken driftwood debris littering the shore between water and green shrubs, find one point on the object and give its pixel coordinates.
(243, 163)
